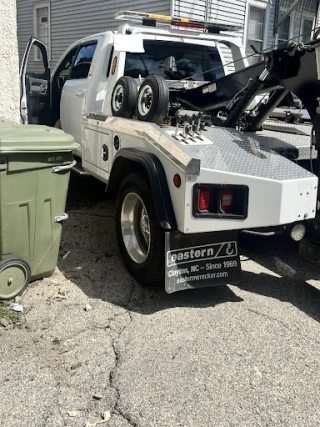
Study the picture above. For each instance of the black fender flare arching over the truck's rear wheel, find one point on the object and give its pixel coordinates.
(130, 160)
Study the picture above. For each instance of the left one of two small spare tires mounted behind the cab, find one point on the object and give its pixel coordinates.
(124, 97)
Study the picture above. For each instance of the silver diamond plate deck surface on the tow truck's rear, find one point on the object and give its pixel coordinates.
(247, 154)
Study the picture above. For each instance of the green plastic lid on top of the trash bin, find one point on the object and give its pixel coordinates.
(20, 138)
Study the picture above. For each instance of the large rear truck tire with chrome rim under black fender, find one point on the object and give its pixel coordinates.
(140, 237)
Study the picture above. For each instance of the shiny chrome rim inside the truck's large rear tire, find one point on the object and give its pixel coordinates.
(135, 228)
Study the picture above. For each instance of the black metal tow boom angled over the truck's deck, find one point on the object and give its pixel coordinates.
(227, 99)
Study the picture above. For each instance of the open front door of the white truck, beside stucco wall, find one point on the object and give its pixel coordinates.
(34, 86)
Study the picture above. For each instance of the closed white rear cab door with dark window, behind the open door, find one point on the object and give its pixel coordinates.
(74, 91)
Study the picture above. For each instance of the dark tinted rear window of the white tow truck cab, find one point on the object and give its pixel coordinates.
(175, 61)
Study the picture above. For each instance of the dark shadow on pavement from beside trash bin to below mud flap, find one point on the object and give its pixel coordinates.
(89, 235)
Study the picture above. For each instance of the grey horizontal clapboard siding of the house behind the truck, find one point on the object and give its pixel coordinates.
(74, 19)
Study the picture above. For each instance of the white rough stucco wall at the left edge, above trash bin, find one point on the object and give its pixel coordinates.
(9, 63)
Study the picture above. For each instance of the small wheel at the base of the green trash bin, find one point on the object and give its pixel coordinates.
(15, 275)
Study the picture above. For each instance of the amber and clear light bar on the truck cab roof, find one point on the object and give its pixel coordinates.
(152, 19)
